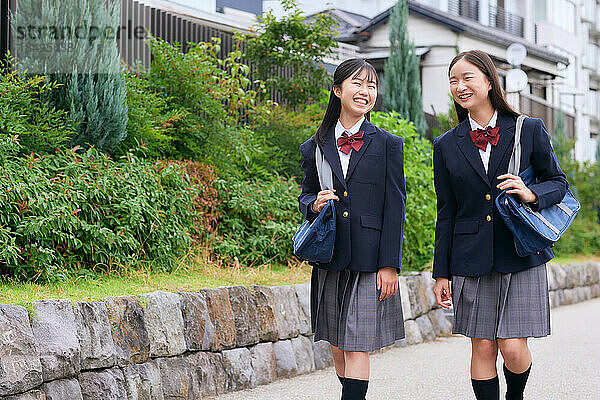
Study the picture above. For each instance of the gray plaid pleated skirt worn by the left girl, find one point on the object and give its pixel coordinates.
(347, 313)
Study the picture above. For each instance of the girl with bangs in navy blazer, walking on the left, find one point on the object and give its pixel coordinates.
(355, 302)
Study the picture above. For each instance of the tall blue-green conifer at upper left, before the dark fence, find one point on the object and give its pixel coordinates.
(73, 43)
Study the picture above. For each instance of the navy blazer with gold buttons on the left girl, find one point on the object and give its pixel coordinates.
(372, 205)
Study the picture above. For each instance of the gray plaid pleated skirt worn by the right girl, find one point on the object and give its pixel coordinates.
(502, 305)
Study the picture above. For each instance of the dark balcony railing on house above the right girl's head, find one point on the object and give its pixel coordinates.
(497, 17)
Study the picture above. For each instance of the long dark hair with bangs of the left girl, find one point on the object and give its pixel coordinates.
(351, 67)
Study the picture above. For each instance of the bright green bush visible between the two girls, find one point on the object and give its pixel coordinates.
(419, 227)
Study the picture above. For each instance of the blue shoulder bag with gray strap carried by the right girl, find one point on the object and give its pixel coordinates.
(533, 230)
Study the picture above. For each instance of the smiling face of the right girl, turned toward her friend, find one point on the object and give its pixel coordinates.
(469, 86)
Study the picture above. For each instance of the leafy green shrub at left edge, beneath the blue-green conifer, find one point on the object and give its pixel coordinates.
(26, 112)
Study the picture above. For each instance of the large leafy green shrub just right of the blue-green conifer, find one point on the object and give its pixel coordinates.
(194, 95)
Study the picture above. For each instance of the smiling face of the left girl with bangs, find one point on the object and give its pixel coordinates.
(357, 93)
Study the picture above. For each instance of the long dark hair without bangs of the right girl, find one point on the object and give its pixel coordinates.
(485, 64)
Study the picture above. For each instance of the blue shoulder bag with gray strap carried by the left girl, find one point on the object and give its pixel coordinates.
(314, 240)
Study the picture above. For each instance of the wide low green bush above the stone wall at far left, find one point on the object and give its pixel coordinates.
(74, 211)
